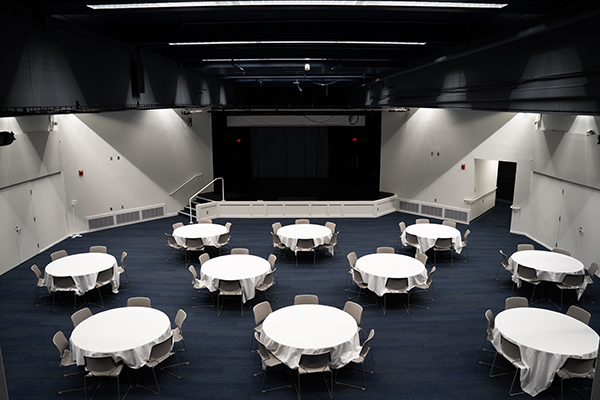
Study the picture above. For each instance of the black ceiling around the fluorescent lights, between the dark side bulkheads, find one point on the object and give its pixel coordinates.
(445, 31)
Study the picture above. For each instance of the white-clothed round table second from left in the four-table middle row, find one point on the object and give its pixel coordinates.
(248, 269)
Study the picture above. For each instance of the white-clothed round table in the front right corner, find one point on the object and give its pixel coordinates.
(546, 339)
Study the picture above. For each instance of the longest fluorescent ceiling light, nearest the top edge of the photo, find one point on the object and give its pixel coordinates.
(247, 3)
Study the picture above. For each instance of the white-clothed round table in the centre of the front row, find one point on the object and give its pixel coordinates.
(310, 329)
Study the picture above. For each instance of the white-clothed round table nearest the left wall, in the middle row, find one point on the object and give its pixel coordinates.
(84, 269)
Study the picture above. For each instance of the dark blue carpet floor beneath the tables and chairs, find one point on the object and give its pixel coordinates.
(429, 354)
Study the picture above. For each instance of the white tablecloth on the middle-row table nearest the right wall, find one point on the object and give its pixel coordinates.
(550, 266)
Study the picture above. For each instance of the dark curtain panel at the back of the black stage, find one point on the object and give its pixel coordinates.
(290, 152)
